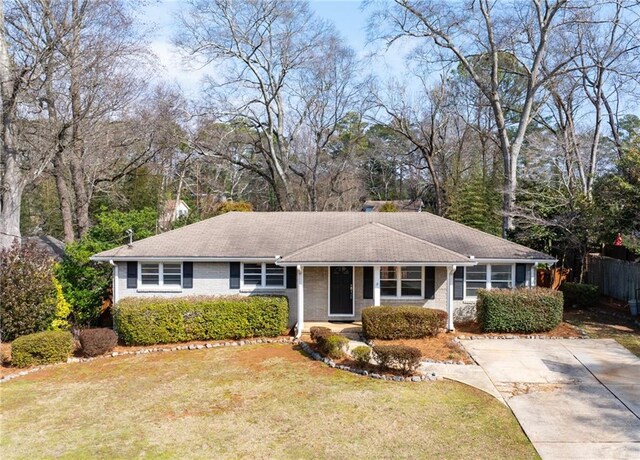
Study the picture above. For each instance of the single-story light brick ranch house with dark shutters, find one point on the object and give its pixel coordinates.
(329, 264)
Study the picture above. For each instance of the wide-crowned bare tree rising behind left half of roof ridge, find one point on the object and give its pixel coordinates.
(263, 51)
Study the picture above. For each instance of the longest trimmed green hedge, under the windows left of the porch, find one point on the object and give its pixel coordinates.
(148, 321)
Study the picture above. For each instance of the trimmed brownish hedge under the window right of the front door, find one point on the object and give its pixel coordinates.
(402, 322)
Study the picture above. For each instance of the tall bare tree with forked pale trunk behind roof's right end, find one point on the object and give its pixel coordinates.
(480, 37)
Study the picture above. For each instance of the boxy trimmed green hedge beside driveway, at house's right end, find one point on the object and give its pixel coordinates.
(519, 310)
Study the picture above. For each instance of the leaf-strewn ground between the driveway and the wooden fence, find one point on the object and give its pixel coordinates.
(600, 326)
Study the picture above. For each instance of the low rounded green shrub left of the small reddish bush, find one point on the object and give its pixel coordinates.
(42, 348)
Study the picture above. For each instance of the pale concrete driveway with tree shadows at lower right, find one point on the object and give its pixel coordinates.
(573, 398)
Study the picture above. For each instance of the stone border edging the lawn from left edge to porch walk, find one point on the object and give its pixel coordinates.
(157, 349)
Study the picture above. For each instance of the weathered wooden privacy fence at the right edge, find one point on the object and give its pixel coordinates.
(616, 278)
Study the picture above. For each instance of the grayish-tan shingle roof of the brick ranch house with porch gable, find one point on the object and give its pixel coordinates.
(239, 235)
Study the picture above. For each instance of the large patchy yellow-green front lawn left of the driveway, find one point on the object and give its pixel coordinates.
(263, 401)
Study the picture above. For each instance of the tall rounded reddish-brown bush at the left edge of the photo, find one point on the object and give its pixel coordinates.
(27, 291)
